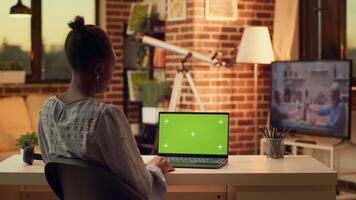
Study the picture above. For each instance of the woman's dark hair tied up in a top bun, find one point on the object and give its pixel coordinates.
(85, 45)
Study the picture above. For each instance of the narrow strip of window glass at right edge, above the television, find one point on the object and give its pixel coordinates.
(351, 33)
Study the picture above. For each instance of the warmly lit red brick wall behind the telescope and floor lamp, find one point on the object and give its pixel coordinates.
(229, 90)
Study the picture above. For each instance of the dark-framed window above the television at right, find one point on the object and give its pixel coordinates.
(338, 30)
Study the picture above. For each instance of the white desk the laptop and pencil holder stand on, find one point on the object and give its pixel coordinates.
(246, 177)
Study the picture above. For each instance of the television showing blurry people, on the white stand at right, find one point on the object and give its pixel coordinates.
(312, 97)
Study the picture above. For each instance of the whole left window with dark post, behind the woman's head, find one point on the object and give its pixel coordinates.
(38, 41)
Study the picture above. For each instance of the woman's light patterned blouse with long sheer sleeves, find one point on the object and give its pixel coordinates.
(90, 130)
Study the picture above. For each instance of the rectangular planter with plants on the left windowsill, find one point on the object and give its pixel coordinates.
(12, 72)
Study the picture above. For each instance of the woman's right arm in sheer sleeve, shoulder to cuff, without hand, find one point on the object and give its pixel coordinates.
(120, 153)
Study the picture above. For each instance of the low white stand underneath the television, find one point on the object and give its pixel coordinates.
(311, 142)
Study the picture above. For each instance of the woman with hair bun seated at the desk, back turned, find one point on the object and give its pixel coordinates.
(76, 125)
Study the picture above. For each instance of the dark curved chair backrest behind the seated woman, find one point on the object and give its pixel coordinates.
(73, 179)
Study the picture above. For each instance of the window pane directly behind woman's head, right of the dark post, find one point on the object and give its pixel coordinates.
(55, 16)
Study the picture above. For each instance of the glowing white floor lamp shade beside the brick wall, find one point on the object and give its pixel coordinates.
(255, 46)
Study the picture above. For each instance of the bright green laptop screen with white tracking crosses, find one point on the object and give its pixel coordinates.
(191, 133)
